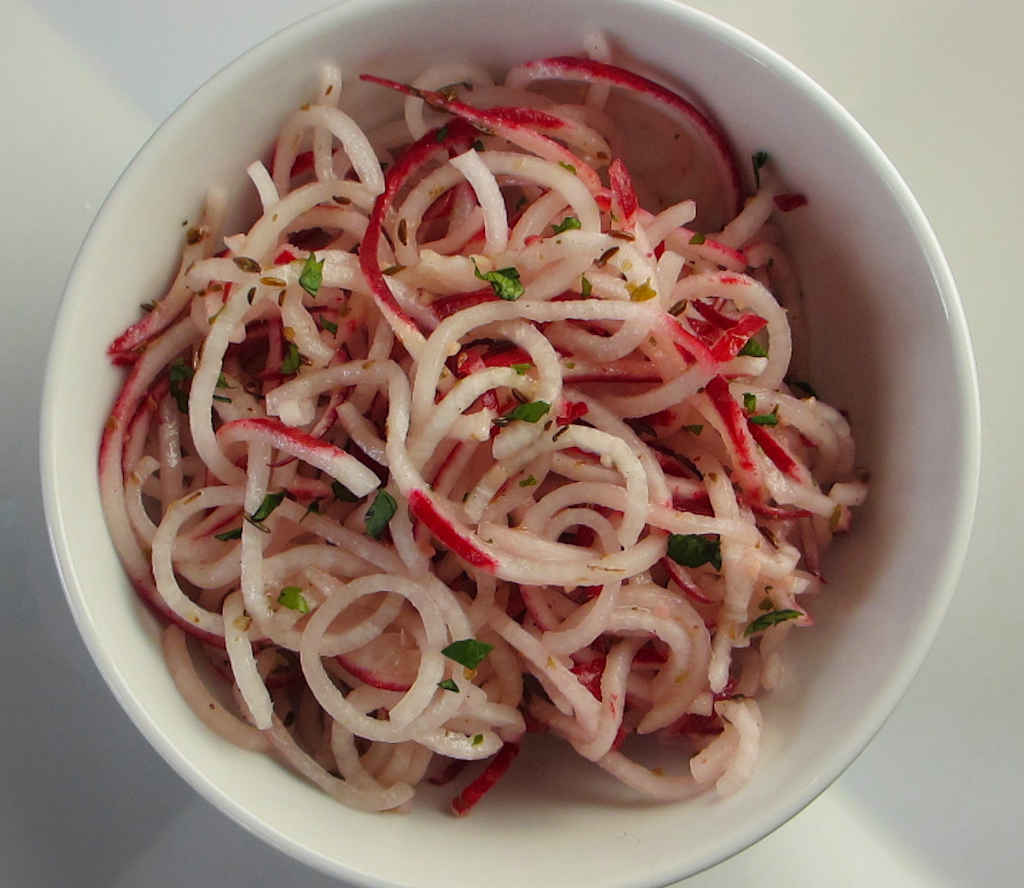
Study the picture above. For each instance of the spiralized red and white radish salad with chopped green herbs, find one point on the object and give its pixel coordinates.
(477, 434)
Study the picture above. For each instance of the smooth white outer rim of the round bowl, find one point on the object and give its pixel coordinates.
(911, 658)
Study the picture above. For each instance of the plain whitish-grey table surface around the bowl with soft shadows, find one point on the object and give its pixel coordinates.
(84, 801)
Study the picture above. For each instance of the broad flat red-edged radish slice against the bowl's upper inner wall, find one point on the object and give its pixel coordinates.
(688, 154)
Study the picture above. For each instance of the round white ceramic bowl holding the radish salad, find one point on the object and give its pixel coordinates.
(889, 345)
